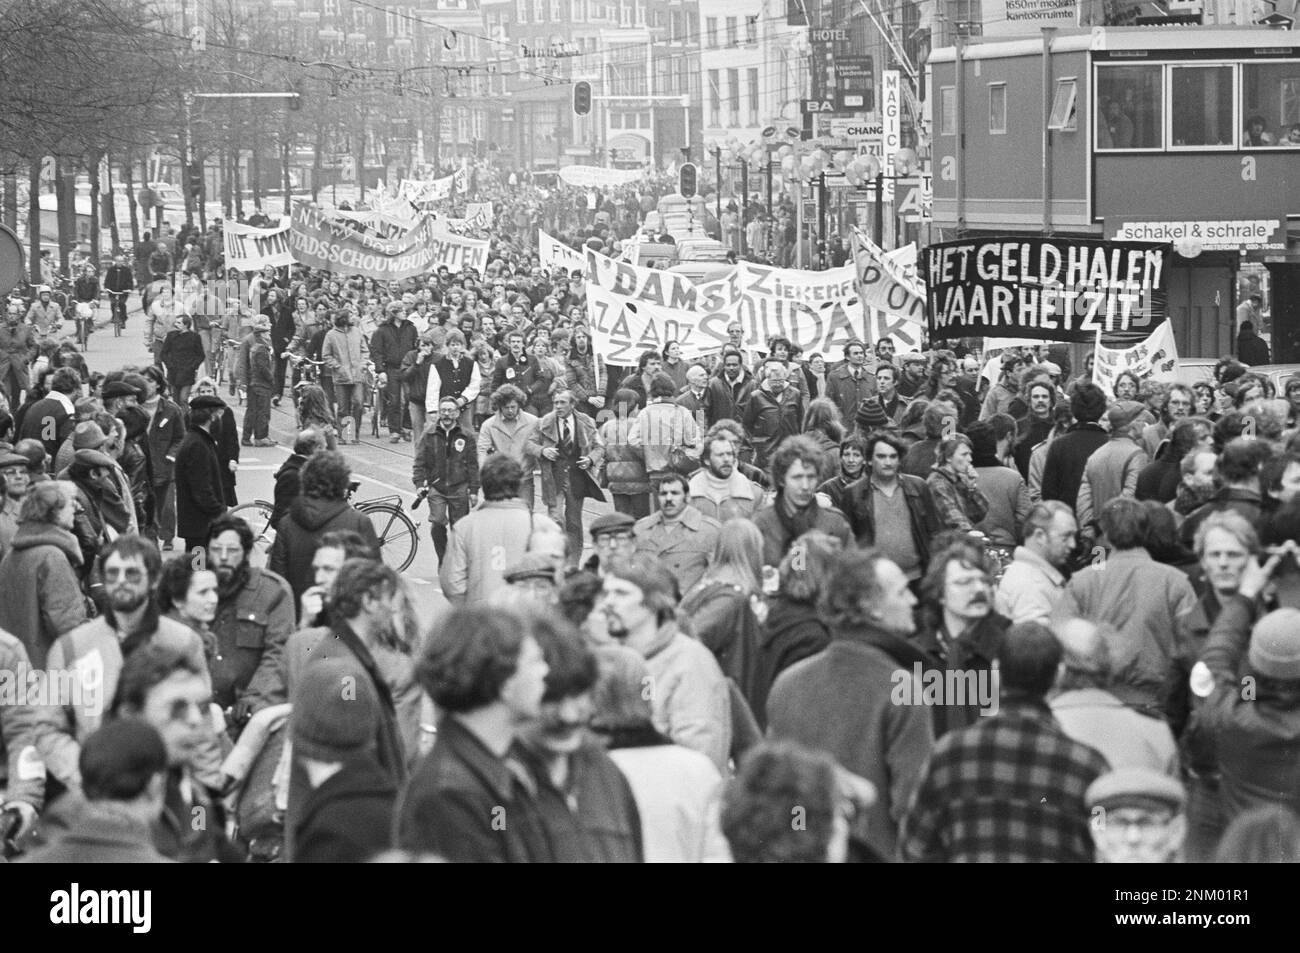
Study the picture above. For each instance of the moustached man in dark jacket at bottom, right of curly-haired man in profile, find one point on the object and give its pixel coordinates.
(586, 803)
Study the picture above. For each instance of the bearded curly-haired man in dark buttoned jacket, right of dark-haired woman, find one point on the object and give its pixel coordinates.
(255, 617)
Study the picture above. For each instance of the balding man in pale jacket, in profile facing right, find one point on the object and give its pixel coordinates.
(1033, 583)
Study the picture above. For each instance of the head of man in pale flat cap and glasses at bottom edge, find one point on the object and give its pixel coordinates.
(1137, 817)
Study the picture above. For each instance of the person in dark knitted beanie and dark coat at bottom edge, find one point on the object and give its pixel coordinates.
(348, 816)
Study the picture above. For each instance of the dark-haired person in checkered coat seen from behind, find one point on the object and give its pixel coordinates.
(1012, 787)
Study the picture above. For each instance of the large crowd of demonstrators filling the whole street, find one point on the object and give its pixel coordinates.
(761, 607)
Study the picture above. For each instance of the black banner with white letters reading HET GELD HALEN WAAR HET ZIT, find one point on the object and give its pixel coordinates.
(1047, 289)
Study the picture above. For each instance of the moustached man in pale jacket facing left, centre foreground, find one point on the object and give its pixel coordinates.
(692, 703)
